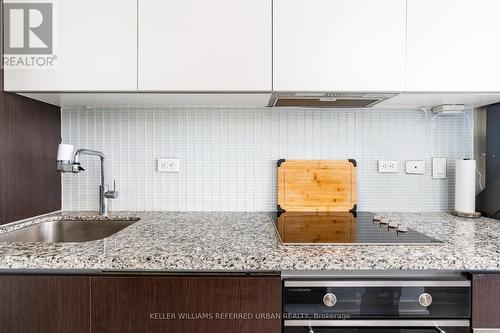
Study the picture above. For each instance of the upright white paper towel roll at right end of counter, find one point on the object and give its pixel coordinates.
(465, 186)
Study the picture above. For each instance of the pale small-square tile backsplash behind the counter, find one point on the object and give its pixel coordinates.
(228, 155)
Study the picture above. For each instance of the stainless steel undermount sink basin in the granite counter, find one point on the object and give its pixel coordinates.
(66, 231)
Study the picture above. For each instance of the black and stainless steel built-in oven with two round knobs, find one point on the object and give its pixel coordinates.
(377, 305)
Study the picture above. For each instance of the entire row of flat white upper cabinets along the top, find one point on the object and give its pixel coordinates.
(238, 46)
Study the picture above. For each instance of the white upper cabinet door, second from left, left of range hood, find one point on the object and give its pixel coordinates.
(197, 45)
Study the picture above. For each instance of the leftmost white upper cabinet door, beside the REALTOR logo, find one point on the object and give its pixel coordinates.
(95, 44)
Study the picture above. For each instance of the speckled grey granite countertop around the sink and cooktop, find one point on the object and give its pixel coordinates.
(230, 241)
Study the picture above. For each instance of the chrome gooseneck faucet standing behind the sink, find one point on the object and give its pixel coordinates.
(75, 167)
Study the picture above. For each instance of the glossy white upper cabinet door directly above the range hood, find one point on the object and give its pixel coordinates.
(348, 45)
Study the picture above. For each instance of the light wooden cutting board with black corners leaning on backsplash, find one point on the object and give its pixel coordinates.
(316, 185)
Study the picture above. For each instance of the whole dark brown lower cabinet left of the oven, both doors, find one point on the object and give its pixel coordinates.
(101, 304)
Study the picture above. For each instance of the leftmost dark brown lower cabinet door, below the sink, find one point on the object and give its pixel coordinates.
(44, 304)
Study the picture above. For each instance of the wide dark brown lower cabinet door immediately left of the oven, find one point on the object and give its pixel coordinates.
(186, 304)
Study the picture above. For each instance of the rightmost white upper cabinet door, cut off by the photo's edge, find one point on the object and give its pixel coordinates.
(453, 45)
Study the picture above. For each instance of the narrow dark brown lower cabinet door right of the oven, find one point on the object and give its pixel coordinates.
(486, 301)
